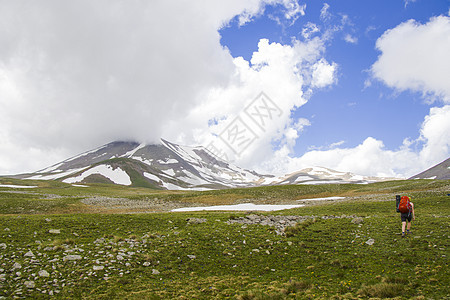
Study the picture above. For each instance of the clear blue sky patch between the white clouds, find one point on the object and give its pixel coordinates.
(347, 111)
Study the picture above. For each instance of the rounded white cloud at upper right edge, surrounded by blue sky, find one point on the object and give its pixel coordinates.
(414, 57)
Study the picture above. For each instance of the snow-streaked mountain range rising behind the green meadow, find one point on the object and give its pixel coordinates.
(174, 167)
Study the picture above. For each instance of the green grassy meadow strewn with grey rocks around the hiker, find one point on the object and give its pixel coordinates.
(51, 244)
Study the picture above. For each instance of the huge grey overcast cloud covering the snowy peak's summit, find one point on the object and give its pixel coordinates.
(74, 75)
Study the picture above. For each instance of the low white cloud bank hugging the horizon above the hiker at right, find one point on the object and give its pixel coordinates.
(373, 159)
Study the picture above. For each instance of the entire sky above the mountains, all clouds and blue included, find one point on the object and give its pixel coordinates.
(356, 86)
